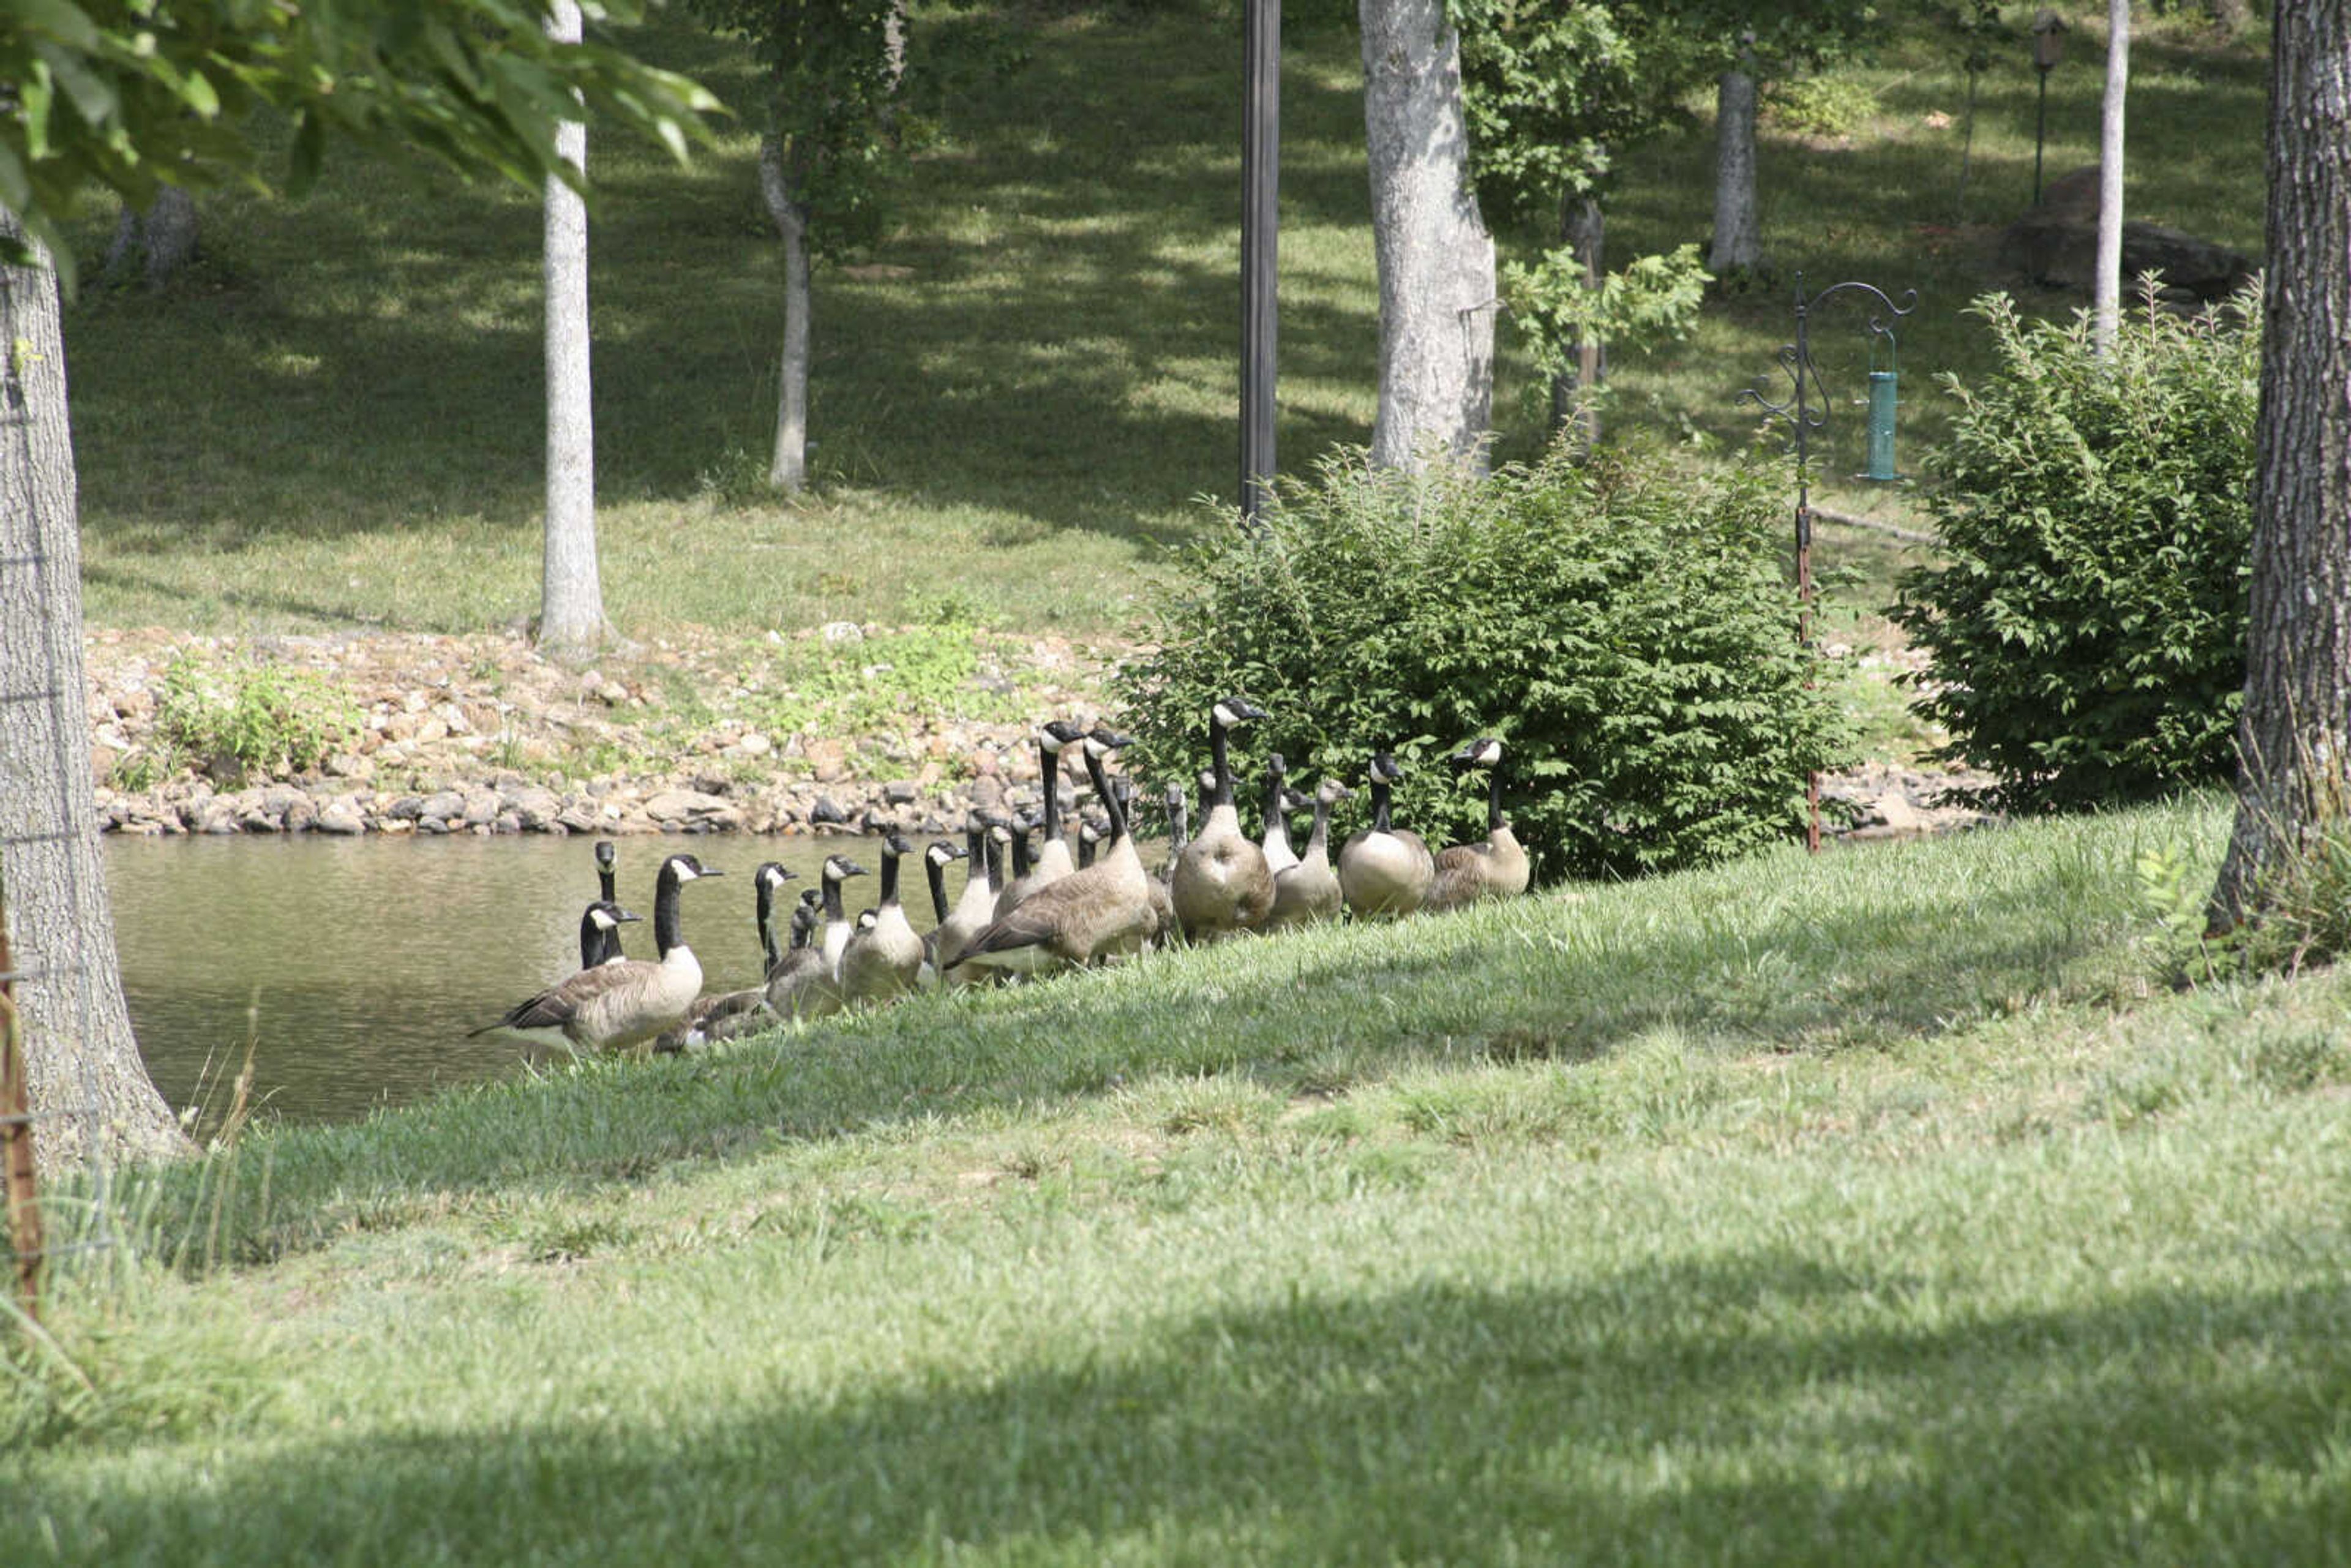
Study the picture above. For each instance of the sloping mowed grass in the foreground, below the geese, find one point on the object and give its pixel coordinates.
(1887, 1207)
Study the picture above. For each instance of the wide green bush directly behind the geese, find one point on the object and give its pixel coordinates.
(1628, 629)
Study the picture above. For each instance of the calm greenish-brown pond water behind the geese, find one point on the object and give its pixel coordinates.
(356, 967)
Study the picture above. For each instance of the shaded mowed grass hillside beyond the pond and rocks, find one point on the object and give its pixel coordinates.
(1026, 384)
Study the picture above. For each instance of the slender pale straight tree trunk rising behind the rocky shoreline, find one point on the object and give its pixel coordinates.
(570, 594)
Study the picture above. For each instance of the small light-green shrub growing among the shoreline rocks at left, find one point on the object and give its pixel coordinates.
(253, 718)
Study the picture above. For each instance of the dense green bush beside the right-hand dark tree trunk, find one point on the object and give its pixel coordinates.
(2087, 634)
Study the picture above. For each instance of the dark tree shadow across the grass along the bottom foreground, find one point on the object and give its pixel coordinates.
(1746, 1407)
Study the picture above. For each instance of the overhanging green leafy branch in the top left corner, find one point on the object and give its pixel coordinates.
(133, 95)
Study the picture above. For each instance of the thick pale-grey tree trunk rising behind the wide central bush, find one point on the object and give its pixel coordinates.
(1438, 281)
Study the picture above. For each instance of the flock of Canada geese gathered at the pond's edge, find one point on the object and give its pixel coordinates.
(1029, 913)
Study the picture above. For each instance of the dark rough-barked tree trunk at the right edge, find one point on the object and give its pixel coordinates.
(2296, 732)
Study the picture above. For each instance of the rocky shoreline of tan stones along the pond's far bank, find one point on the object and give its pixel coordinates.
(478, 735)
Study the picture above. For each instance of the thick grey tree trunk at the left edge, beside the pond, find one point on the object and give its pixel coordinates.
(91, 1087)
